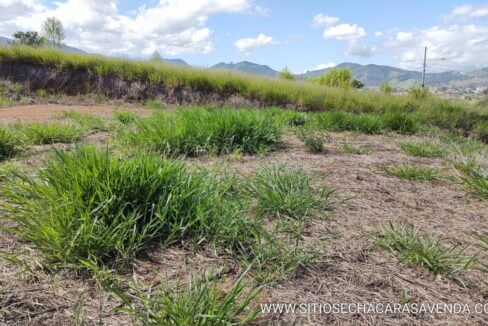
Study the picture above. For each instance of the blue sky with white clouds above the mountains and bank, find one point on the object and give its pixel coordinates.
(302, 35)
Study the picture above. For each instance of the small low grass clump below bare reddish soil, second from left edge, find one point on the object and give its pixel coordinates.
(49, 133)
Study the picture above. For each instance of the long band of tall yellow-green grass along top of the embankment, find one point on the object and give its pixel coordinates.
(442, 113)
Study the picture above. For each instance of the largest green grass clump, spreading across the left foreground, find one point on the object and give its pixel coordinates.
(87, 205)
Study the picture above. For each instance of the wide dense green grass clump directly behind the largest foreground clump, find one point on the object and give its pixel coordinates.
(194, 132)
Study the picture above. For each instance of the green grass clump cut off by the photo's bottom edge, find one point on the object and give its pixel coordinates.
(203, 301)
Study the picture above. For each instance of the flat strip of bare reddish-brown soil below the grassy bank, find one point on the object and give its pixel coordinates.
(48, 112)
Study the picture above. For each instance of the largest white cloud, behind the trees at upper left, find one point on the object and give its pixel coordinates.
(169, 26)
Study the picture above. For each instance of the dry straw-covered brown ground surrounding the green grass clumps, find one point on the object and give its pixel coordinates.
(355, 271)
